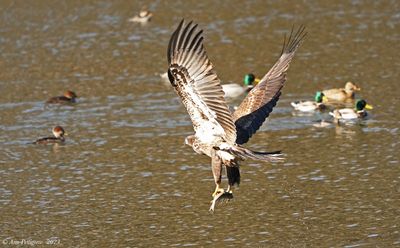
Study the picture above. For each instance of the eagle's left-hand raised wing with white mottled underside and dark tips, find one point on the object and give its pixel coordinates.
(192, 75)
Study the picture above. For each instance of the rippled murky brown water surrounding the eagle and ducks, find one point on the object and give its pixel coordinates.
(124, 177)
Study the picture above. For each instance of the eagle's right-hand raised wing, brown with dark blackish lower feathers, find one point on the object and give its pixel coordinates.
(260, 101)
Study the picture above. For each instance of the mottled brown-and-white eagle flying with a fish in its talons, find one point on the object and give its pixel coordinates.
(219, 133)
